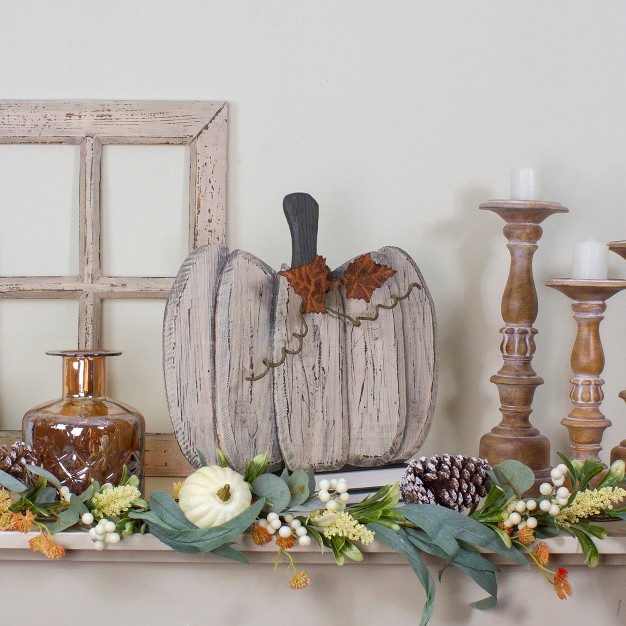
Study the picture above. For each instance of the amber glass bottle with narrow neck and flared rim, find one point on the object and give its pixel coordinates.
(85, 436)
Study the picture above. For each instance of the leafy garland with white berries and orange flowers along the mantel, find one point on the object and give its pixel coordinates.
(291, 510)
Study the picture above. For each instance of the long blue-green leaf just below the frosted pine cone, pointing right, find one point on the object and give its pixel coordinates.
(443, 526)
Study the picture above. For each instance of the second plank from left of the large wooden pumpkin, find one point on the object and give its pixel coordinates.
(243, 315)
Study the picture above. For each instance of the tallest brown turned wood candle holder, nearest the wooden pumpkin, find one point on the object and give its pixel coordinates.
(515, 437)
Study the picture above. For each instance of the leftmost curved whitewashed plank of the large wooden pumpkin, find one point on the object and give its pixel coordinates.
(188, 352)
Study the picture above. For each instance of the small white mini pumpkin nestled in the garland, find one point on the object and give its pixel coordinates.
(213, 495)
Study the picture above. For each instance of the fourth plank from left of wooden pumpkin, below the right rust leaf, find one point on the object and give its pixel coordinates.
(375, 393)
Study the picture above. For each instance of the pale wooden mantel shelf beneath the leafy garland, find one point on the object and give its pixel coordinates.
(564, 550)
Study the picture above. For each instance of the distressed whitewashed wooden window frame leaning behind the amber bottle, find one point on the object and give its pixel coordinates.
(92, 124)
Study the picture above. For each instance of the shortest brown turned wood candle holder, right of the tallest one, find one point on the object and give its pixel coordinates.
(586, 423)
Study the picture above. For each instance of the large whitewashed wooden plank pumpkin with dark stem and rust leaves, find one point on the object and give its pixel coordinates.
(358, 393)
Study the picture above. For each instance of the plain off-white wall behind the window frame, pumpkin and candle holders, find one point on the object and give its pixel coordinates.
(399, 117)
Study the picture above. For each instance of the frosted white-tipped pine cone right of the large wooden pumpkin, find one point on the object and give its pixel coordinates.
(455, 482)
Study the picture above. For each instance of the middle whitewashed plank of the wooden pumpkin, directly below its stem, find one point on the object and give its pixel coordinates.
(309, 386)
